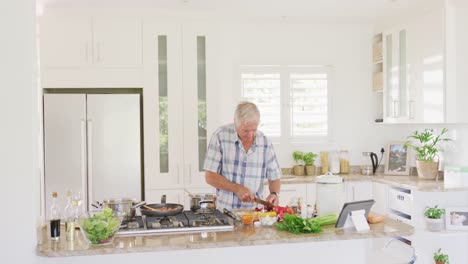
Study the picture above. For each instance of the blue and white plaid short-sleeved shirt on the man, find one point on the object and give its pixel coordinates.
(226, 156)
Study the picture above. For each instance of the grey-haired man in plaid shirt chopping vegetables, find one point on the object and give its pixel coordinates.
(239, 159)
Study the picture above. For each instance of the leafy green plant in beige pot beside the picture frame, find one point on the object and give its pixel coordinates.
(426, 151)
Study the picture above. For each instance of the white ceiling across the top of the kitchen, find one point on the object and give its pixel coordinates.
(311, 10)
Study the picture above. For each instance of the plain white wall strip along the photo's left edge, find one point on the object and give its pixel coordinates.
(19, 136)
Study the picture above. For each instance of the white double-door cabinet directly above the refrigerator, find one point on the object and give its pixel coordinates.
(90, 52)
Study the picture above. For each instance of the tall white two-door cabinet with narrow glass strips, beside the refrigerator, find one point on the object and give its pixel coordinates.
(183, 122)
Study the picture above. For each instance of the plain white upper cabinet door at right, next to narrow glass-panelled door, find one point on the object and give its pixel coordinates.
(425, 57)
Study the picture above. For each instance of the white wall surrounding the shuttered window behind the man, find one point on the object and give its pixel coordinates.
(346, 47)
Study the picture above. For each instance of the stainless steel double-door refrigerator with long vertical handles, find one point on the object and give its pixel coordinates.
(92, 145)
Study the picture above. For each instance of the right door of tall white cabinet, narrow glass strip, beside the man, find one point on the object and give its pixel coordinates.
(199, 68)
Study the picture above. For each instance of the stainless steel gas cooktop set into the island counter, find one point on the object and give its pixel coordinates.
(185, 222)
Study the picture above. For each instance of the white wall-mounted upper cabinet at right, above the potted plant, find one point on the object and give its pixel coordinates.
(421, 72)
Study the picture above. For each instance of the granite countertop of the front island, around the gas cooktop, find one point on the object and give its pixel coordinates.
(240, 236)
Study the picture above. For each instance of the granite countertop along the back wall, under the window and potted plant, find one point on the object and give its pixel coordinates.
(407, 182)
